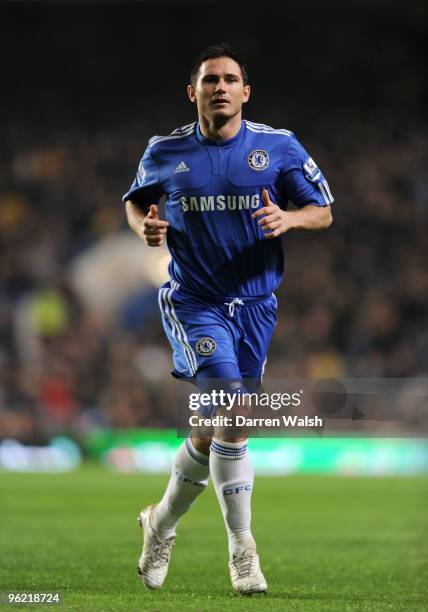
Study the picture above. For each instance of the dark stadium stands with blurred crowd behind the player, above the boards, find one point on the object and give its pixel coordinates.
(86, 84)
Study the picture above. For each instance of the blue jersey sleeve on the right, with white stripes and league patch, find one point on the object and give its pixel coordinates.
(302, 180)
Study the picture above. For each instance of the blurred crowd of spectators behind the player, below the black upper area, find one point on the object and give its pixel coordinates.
(352, 304)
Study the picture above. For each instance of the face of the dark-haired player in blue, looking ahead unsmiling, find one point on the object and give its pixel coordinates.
(219, 91)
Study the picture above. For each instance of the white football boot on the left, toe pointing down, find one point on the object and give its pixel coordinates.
(154, 560)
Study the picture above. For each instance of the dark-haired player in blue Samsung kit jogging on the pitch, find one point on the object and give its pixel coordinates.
(228, 183)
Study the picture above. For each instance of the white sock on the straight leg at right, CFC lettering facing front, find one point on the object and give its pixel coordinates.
(233, 477)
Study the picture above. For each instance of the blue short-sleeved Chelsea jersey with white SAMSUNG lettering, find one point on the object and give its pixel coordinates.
(212, 189)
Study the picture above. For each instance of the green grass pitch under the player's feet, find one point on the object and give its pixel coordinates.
(326, 543)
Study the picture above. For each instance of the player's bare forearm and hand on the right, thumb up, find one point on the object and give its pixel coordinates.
(276, 221)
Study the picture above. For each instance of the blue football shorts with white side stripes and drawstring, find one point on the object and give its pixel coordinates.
(205, 331)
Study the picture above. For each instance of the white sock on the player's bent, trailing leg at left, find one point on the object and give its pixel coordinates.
(189, 478)
